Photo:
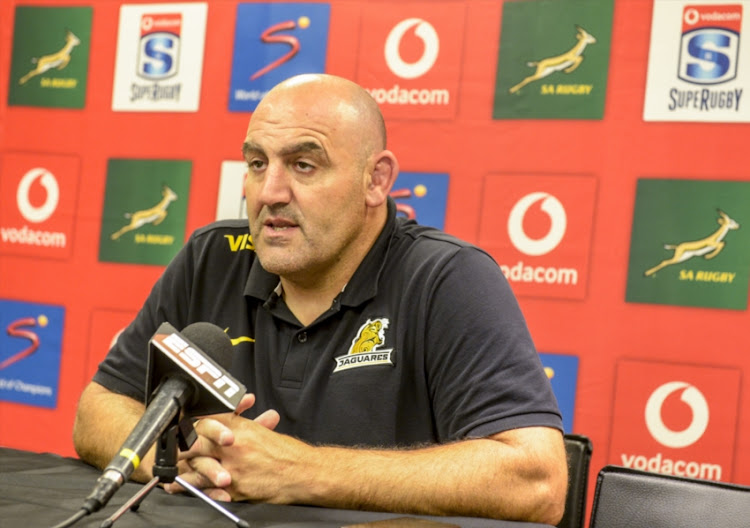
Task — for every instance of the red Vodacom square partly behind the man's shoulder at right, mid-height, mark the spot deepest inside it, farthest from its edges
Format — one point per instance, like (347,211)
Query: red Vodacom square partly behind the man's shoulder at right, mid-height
(538,228)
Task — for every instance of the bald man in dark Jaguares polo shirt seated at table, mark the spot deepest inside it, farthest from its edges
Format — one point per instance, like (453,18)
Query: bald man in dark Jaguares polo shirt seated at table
(388,364)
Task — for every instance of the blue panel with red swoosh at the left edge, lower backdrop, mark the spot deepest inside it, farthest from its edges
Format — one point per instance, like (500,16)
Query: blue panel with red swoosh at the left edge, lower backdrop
(30,350)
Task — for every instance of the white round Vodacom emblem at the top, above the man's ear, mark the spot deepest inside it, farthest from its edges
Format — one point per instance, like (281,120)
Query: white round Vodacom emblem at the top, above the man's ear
(424,31)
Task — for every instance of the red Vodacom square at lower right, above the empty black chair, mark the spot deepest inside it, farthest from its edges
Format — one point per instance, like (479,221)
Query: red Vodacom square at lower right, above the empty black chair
(675,419)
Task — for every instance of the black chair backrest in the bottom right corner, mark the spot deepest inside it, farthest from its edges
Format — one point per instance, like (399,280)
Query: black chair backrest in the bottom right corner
(640,499)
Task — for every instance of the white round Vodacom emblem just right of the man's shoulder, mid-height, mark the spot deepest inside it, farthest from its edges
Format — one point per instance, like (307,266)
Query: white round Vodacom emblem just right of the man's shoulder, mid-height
(548,242)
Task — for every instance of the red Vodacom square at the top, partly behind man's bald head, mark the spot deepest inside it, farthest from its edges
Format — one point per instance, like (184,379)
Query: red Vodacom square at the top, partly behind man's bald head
(410,58)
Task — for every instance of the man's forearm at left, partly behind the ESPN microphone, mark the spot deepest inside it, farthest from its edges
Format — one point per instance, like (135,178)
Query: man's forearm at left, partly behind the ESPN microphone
(103,421)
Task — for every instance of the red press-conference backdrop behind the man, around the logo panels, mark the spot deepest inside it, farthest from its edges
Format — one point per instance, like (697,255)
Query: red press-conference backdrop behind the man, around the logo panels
(610,337)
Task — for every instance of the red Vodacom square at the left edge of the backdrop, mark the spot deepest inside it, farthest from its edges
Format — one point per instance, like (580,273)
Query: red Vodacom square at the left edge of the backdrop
(37,204)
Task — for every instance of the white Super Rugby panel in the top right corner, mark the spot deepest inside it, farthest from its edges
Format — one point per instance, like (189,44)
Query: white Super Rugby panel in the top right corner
(697,67)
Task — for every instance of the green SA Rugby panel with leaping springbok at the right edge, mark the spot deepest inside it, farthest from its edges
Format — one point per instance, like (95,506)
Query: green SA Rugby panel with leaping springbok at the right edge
(690,243)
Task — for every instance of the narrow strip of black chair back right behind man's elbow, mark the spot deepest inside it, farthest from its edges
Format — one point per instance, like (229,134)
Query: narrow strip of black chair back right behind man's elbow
(578,449)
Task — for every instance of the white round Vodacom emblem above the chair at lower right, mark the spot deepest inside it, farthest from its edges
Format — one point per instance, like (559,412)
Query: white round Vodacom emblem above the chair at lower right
(691,396)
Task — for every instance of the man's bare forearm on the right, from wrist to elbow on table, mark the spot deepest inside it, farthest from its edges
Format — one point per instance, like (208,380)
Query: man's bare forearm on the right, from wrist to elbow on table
(482,477)
